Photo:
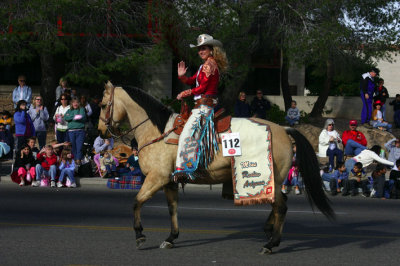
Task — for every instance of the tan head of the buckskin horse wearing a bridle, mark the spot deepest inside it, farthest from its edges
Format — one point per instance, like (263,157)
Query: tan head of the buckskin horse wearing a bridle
(112,111)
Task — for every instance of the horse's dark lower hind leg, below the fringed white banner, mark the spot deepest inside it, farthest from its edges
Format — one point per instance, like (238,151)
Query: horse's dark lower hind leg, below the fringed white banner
(274,224)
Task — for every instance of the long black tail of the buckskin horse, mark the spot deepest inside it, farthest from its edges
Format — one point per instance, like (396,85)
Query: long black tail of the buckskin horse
(309,169)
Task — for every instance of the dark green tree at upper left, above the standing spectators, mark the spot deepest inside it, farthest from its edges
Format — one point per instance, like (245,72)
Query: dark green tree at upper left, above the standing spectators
(97,38)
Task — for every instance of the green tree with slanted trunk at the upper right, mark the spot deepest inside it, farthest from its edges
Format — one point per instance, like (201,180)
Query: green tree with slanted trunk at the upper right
(332,35)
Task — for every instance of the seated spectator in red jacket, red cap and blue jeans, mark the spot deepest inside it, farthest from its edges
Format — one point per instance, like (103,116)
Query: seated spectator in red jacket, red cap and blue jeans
(354,141)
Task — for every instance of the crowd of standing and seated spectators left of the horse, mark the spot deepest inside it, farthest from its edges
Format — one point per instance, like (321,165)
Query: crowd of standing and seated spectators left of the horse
(56,164)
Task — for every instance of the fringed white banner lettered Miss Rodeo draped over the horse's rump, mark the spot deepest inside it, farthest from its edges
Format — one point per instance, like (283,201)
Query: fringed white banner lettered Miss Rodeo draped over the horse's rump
(253,172)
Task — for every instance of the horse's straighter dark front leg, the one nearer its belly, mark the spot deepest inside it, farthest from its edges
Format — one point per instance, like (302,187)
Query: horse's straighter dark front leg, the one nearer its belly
(171,192)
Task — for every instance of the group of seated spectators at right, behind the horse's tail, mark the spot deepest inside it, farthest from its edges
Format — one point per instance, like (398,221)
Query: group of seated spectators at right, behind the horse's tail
(350,175)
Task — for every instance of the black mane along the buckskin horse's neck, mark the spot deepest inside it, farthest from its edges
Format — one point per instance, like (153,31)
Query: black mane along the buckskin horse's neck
(158,113)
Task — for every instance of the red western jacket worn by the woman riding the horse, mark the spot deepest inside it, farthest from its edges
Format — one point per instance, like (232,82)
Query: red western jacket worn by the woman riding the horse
(207,78)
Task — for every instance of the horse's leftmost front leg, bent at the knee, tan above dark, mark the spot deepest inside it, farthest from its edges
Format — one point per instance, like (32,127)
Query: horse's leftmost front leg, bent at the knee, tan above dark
(150,186)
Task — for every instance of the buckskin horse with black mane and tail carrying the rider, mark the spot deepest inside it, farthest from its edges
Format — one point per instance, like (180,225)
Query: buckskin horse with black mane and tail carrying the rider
(148,117)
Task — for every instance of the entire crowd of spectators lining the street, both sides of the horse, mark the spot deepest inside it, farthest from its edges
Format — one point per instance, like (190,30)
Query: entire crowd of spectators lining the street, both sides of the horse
(75,118)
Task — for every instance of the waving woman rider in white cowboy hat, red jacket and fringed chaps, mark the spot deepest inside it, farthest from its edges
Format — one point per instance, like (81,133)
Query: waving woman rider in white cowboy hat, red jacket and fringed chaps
(198,142)
